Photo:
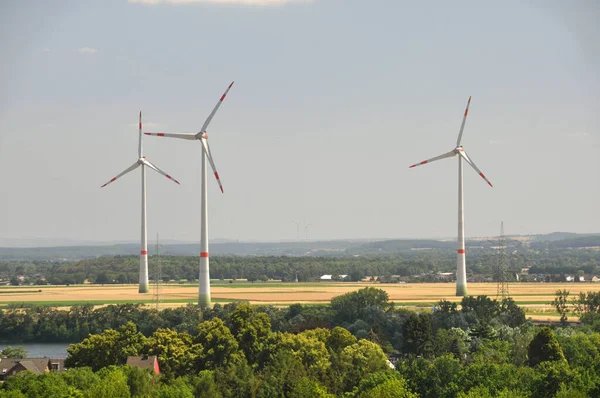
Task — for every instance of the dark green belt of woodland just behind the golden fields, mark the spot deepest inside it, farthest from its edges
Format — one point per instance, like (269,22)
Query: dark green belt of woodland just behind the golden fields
(424,264)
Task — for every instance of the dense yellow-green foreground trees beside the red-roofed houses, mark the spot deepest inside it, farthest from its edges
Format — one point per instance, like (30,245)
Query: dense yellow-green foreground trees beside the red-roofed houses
(485,349)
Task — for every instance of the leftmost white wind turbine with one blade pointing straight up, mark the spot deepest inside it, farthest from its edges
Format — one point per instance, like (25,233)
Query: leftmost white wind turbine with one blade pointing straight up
(143,162)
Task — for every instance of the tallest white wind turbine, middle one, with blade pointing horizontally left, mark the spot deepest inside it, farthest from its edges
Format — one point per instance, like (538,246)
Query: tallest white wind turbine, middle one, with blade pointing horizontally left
(204,279)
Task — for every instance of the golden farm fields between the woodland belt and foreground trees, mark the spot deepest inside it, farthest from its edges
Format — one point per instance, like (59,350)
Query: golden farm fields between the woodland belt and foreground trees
(534,297)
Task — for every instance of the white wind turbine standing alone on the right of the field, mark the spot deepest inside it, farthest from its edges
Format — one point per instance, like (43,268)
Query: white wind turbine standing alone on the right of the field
(461,271)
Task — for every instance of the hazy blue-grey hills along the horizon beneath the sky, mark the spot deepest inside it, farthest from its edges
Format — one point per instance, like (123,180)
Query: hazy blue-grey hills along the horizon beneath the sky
(332,248)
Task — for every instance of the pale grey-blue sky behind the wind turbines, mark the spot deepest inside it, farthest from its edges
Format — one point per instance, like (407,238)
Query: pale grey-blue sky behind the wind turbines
(333,101)
